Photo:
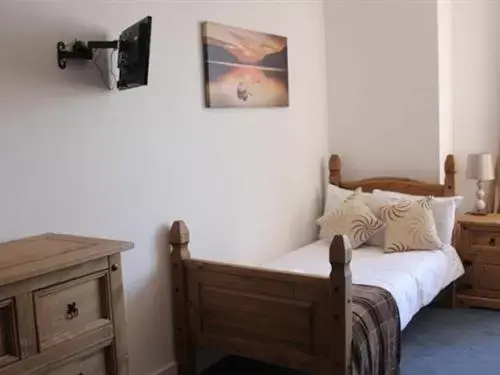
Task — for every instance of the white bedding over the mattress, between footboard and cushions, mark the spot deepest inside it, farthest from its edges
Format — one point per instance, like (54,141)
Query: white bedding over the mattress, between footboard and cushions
(413,278)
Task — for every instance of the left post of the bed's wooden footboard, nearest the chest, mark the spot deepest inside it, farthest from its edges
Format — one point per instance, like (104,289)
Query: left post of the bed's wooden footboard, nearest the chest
(184,347)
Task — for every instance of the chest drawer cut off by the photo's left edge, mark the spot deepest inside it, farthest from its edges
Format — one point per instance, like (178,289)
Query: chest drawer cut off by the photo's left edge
(8,333)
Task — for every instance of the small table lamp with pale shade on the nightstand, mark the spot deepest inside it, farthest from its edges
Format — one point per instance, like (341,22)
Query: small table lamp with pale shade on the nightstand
(480,168)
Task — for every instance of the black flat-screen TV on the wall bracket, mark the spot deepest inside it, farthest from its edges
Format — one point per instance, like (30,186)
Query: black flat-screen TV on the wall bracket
(133,55)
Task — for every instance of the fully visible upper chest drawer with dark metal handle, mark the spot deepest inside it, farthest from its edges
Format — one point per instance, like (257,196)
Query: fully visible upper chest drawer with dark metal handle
(67,310)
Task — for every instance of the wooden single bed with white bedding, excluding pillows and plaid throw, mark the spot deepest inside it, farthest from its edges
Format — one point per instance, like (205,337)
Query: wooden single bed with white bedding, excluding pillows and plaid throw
(298,313)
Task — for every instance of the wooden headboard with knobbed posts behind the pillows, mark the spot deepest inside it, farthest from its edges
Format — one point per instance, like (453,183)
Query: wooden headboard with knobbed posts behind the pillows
(401,185)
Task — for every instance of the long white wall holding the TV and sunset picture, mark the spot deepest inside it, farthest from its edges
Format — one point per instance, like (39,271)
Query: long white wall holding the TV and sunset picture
(76,158)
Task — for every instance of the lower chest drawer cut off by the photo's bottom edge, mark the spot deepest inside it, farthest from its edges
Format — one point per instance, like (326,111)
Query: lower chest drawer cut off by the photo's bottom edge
(90,364)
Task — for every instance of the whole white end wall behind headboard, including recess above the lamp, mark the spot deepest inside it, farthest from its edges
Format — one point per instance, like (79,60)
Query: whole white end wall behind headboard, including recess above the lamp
(412,81)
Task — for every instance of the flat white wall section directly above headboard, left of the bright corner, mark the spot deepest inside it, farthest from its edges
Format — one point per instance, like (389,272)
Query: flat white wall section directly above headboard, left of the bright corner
(383,87)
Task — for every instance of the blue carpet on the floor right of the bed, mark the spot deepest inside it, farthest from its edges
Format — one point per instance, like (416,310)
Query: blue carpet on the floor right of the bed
(458,342)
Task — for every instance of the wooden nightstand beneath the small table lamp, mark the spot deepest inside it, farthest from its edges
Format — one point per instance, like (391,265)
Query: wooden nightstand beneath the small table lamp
(478,244)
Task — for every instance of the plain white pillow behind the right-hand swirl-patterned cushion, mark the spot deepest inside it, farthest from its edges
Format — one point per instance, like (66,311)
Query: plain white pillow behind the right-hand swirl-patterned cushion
(443,209)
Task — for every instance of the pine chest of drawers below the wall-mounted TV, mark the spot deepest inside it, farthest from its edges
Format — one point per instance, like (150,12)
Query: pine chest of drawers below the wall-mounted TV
(61,306)
